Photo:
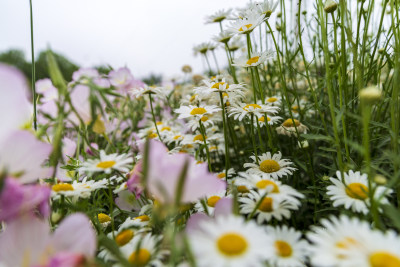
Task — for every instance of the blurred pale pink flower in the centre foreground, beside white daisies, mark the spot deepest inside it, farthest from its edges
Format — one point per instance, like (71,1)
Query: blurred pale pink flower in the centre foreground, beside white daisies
(164,172)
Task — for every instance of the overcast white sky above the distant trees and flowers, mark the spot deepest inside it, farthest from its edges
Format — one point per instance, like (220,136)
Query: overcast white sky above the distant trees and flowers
(146,35)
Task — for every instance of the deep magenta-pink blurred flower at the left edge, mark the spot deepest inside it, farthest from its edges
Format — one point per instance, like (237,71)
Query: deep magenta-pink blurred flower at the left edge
(17,200)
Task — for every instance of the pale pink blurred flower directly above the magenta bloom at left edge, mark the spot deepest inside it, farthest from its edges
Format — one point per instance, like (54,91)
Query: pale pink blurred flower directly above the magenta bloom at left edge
(22,156)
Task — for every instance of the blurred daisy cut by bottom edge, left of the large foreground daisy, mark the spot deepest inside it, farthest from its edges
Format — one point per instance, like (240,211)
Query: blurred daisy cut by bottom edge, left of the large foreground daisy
(143,250)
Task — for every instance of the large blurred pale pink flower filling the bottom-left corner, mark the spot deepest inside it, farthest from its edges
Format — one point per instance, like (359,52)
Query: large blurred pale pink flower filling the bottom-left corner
(28,241)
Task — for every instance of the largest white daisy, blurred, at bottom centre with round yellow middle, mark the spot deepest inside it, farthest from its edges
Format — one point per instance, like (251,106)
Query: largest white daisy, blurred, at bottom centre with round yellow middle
(229,241)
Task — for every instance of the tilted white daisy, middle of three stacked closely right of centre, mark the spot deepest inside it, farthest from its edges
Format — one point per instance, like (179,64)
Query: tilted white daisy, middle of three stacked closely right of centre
(270,186)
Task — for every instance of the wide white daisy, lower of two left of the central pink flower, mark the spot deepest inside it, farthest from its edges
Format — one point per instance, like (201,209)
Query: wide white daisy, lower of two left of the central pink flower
(77,189)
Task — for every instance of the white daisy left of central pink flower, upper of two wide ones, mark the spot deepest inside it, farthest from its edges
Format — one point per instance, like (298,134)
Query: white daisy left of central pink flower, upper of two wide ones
(107,163)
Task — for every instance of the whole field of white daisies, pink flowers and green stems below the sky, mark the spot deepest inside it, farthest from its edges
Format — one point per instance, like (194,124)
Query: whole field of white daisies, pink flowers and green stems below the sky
(285,154)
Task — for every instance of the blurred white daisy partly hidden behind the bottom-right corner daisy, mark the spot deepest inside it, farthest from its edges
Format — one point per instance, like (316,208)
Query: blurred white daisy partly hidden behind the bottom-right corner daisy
(332,240)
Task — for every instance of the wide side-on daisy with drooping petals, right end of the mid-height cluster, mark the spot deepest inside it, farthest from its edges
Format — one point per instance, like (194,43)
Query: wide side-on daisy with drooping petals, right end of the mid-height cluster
(246,110)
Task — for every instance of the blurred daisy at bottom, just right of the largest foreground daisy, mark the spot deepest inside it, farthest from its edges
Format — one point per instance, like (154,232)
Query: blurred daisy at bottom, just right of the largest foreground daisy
(289,248)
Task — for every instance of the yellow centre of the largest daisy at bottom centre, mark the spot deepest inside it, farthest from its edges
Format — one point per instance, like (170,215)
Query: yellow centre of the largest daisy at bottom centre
(232,244)
